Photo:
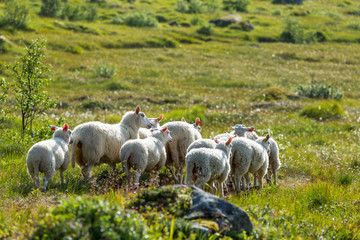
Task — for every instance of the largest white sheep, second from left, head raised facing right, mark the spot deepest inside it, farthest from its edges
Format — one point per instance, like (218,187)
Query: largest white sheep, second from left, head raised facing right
(95,143)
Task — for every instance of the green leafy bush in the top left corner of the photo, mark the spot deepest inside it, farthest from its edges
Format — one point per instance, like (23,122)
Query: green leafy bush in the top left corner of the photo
(15,15)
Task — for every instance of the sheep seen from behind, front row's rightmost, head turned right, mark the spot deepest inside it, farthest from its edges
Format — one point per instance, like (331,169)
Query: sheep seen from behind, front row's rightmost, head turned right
(248,156)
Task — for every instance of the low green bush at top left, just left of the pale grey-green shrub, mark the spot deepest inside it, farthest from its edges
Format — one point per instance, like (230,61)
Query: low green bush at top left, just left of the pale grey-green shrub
(74,12)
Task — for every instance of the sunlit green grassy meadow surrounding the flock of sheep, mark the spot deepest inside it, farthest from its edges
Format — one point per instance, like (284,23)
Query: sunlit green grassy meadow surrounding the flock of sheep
(103,66)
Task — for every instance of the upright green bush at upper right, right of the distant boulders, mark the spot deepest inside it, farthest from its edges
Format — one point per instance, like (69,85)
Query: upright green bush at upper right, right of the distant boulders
(293,32)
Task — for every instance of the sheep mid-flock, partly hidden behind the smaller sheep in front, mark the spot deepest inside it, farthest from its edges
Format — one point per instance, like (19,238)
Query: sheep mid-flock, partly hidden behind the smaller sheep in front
(183,135)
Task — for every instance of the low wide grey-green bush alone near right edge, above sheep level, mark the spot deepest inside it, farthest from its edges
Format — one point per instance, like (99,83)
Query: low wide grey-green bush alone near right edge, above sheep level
(322,91)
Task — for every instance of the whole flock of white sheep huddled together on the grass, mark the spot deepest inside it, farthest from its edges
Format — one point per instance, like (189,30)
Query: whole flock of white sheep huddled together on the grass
(140,143)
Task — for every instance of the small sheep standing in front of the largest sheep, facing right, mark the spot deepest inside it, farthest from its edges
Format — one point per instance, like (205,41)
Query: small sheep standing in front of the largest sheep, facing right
(145,154)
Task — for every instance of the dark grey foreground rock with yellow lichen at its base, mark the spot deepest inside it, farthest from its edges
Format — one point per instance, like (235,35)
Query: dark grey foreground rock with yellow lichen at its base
(225,216)
